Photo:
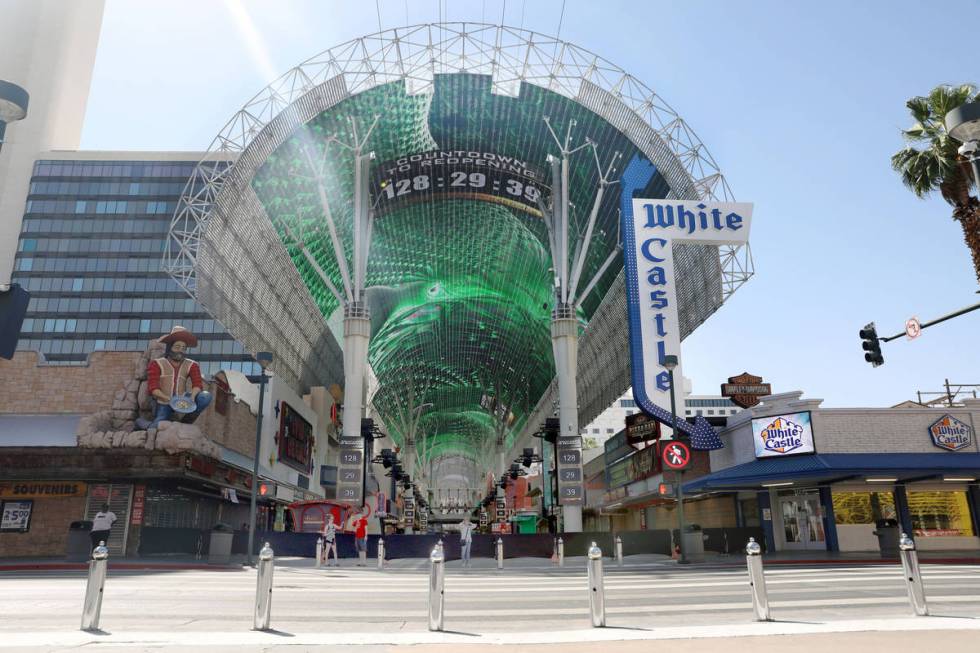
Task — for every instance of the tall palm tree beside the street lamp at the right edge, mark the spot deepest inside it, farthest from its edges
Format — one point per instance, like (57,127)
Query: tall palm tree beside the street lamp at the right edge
(937,165)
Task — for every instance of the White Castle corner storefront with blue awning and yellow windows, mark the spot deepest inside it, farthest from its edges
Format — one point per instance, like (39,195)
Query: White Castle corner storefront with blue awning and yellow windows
(848,479)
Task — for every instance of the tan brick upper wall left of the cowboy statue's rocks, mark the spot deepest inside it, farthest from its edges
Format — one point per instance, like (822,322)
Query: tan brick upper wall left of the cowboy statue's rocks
(27,387)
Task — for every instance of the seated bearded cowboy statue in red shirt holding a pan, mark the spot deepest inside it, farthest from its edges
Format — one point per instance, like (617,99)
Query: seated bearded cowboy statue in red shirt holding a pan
(174,381)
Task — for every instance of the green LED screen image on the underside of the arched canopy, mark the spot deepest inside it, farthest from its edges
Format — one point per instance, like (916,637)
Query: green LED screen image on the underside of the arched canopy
(460,280)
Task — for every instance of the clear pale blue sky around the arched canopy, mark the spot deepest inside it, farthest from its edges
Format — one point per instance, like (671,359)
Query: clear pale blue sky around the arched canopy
(800,104)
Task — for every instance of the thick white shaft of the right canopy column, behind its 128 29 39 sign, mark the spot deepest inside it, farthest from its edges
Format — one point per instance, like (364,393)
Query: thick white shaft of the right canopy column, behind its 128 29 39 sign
(564,340)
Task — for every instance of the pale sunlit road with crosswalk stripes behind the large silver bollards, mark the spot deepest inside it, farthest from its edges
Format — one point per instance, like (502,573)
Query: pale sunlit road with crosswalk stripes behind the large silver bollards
(367,607)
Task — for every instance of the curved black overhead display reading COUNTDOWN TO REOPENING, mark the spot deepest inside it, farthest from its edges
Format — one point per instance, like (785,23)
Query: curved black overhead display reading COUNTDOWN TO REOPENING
(463,174)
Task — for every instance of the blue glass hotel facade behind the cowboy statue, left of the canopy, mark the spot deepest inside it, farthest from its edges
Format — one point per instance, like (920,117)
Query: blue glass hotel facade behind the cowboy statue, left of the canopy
(90,253)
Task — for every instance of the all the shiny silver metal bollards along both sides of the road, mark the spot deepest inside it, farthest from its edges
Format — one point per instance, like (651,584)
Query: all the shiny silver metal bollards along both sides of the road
(92,607)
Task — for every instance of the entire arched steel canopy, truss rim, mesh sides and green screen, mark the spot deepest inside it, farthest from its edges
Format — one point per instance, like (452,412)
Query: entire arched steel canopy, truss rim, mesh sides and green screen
(459,287)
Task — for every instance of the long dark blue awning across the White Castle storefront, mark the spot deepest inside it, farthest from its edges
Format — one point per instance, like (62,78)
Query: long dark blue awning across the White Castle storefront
(835,467)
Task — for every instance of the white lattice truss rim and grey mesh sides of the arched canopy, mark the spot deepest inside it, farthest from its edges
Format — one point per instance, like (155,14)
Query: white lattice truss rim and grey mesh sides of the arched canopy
(224,252)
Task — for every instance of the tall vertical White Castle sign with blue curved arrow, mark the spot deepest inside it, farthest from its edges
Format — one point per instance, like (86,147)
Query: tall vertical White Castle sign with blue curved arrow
(650,229)
